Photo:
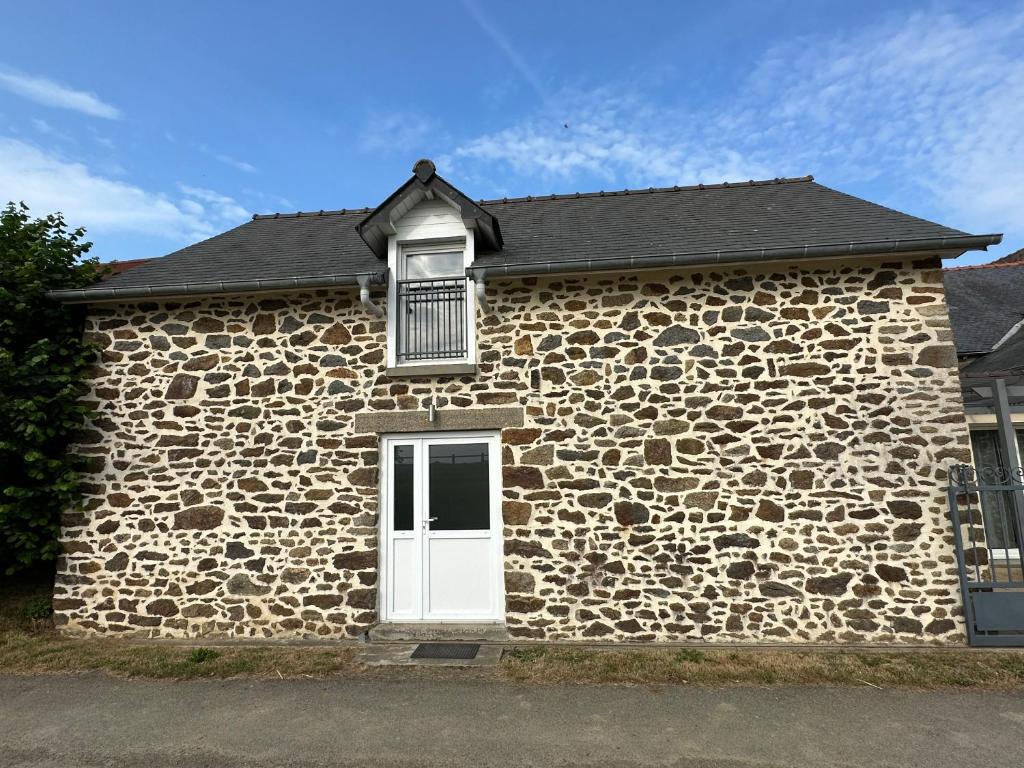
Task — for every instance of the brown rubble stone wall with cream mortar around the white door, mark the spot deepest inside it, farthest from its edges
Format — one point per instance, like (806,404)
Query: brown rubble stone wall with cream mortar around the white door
(728,456)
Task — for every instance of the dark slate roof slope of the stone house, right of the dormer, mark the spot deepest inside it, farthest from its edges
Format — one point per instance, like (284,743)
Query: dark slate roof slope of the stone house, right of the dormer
(778,214)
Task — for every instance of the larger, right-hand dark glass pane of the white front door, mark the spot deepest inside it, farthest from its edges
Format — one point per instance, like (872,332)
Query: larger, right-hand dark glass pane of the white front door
(460,498)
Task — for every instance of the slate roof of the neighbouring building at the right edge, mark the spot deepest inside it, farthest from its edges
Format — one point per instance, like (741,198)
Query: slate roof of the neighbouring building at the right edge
(986,303)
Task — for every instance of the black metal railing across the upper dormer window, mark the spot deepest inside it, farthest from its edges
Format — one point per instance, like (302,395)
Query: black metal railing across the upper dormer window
(432,320)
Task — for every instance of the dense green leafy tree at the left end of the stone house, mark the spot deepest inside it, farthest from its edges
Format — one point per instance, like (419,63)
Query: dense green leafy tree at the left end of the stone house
(44,360)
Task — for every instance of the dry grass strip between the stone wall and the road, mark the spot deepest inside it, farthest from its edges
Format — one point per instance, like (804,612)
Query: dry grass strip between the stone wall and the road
(30,646)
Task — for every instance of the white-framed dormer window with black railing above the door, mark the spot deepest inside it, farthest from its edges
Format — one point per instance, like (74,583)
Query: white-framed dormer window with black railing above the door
(432,316)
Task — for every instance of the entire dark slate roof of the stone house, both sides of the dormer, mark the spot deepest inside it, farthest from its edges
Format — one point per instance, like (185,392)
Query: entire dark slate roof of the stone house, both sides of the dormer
(794,214)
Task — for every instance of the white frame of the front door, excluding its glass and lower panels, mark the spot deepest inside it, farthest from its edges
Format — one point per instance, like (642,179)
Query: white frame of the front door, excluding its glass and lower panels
(420,536)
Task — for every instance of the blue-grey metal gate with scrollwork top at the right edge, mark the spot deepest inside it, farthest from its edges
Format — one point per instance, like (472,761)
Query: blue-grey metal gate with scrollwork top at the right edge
(987,506)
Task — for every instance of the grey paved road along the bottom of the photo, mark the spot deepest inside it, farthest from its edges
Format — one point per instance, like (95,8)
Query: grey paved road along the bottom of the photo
(99,721)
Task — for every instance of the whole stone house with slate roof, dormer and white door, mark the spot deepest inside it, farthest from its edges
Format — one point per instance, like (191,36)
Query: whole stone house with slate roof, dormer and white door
(717,413)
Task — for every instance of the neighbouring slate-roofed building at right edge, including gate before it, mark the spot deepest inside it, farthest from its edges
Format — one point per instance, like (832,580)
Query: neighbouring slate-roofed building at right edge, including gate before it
(987,308)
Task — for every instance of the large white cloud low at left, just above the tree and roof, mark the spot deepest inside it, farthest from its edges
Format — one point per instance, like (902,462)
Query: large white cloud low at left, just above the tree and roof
(49,184)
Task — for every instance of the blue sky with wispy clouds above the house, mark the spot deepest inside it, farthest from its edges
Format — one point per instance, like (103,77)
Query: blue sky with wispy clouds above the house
(156,125)
